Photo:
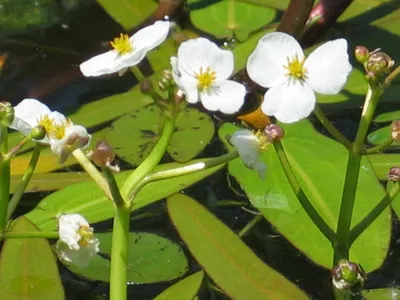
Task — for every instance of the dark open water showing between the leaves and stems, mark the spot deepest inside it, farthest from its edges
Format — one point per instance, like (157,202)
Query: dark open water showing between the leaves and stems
(43,64)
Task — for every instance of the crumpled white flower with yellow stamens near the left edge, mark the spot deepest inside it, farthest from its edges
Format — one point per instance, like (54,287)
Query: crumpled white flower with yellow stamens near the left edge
(62,135)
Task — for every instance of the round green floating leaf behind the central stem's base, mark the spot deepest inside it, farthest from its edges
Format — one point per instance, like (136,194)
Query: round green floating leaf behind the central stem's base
(152,258)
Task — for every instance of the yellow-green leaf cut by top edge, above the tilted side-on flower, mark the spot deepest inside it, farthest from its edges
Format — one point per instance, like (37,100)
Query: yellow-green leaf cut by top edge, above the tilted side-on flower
(129,13)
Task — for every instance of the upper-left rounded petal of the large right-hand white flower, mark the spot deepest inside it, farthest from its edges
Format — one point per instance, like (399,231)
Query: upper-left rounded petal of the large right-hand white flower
(265,65)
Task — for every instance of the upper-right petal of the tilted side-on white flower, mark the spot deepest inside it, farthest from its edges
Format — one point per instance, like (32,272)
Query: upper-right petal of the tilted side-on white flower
(150,36)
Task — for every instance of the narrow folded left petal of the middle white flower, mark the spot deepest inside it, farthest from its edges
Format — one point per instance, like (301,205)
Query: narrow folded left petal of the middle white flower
(186,83)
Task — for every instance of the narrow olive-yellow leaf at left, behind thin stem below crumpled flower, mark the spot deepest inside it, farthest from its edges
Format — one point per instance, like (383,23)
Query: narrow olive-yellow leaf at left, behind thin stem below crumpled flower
(50,181)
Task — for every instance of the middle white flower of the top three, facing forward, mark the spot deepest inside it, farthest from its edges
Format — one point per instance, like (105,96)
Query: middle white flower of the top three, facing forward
(201,71)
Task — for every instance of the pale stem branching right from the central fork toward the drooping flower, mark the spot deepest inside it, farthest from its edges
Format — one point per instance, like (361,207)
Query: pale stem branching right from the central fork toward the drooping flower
(185,169)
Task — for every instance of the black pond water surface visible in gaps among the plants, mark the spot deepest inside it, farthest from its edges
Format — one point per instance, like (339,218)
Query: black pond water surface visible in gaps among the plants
(41,61)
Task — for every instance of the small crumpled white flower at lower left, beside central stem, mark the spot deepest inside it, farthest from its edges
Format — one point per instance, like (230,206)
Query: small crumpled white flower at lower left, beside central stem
(76,243)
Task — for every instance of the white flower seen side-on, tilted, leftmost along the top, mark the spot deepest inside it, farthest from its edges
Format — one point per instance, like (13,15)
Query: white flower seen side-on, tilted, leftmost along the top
(128,51)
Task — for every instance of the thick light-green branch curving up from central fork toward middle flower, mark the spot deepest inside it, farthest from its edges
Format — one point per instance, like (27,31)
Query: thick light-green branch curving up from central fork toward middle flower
(152,160)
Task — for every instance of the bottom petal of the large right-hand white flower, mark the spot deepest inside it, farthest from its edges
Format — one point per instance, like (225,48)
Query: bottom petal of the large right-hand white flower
(290,102)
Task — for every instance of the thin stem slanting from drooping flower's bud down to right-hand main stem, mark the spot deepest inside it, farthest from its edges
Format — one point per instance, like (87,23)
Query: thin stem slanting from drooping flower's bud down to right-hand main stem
(305,202)
